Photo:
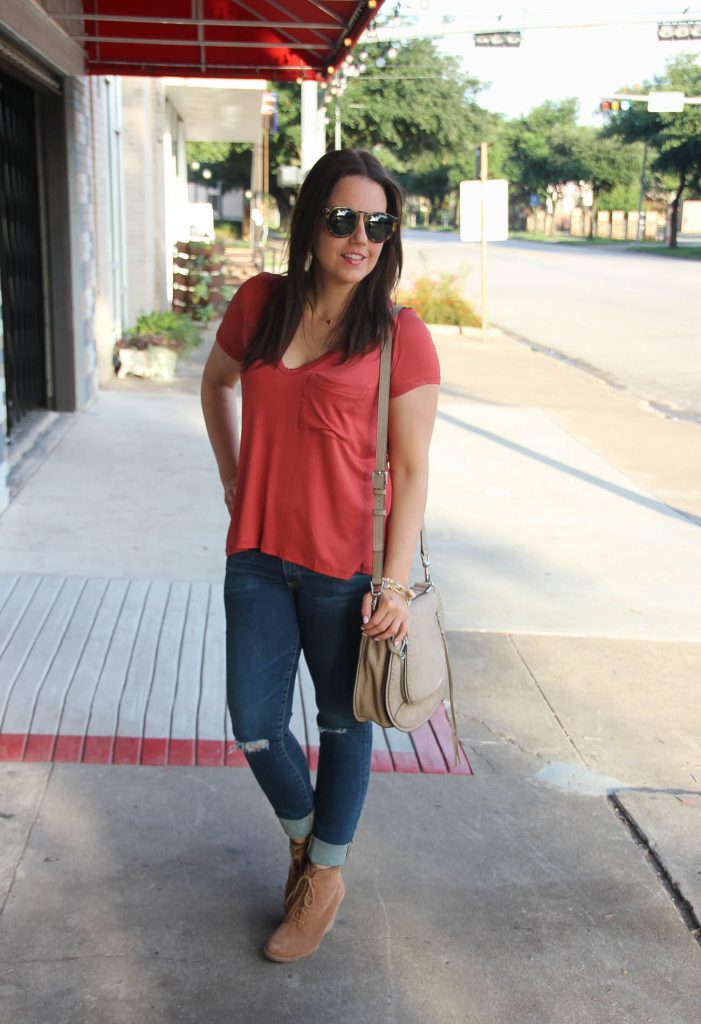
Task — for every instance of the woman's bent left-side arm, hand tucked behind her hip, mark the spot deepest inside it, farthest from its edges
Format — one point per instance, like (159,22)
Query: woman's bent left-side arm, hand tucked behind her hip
(220,406)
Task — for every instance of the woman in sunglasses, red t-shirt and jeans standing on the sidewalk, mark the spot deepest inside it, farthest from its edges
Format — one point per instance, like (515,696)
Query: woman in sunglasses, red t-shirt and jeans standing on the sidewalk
(306,349)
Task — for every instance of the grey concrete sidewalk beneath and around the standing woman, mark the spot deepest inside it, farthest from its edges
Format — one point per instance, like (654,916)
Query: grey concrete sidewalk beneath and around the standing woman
(564,525)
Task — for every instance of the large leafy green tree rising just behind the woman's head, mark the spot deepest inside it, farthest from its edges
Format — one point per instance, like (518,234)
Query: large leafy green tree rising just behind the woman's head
(419,115)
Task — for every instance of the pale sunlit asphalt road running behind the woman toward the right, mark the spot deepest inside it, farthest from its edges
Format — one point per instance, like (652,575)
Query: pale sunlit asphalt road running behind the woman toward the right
(632,319)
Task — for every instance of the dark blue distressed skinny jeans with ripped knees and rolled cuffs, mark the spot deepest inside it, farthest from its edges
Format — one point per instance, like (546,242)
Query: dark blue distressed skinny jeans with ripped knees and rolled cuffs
(276,610)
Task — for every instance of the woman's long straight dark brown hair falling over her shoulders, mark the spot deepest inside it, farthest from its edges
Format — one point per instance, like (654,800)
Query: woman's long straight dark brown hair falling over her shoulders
(367,318)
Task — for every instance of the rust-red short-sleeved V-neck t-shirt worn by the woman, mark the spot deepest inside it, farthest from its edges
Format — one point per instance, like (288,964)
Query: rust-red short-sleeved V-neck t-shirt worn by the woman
(304,490)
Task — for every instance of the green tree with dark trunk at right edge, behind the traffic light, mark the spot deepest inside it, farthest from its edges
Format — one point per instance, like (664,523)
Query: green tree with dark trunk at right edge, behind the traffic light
(675,140)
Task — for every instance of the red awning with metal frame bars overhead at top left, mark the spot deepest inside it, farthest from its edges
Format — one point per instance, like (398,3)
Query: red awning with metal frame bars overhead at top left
(282,40)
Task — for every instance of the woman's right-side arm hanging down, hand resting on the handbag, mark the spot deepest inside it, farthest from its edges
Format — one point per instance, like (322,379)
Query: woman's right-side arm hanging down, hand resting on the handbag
(411,425)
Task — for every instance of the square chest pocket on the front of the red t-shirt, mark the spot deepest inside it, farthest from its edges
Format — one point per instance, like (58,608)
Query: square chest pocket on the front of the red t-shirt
(340,410)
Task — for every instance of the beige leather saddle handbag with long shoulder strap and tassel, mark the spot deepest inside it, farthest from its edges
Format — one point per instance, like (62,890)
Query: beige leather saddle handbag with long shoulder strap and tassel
(402,687)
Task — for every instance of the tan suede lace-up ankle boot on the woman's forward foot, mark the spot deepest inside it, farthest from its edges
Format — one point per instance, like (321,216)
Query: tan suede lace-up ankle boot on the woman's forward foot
(314,907)
